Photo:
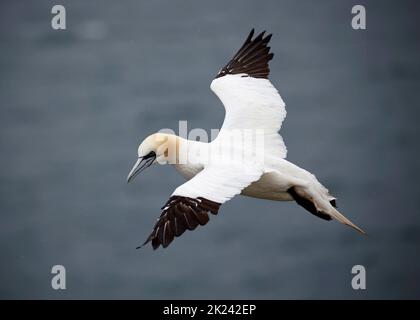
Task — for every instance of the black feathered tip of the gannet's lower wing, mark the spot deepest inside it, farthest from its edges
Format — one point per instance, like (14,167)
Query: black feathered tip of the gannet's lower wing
(180,214)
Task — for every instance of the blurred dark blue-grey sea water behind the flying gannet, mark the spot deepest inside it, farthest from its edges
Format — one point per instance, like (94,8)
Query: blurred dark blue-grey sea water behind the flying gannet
(75,104)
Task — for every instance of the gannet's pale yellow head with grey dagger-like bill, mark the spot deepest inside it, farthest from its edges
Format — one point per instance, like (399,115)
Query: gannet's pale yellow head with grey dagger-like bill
(156,148)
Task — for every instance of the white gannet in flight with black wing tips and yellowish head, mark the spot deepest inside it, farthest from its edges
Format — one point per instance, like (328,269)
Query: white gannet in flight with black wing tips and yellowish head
(252,104)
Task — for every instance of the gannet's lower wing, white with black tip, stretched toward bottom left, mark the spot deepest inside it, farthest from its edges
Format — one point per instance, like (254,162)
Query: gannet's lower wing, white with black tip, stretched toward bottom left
(191,202)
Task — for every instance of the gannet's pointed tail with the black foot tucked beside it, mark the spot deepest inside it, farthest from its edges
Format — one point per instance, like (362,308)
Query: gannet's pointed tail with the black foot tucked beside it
(320,203)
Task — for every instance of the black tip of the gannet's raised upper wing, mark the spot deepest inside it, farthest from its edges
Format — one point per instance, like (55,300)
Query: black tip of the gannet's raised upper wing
(252,58)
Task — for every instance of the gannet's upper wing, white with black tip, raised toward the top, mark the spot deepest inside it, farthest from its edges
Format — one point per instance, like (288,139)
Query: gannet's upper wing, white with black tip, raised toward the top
(249,98)
